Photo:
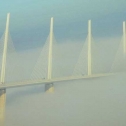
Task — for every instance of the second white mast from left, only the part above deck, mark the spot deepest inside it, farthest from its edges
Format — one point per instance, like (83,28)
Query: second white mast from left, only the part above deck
(50,50)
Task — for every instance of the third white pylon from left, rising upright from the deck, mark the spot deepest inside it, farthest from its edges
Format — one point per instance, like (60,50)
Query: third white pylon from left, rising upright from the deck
(89,48)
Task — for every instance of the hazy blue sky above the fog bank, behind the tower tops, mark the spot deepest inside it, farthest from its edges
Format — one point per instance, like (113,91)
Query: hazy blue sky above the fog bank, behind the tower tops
(30,19)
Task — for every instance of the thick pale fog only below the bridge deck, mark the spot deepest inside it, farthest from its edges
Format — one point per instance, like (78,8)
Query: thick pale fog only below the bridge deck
(91,102)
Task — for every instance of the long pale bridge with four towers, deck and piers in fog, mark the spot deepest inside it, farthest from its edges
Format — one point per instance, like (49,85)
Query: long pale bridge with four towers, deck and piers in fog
(42,72)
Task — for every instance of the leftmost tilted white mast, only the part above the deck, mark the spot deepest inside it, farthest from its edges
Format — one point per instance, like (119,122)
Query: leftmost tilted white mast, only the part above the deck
(5,50)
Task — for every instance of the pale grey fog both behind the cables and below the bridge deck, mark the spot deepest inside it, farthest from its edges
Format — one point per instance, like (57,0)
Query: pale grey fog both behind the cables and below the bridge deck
(88,102)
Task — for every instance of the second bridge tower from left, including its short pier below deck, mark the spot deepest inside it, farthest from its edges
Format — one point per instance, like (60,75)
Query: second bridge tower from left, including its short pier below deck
(50,87)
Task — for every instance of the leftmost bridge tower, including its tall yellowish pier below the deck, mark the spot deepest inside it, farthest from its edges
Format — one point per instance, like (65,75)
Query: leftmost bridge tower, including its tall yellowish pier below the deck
(3,92)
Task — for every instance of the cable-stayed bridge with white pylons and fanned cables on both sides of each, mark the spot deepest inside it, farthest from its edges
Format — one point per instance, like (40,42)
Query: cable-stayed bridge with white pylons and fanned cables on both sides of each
(46,70)
